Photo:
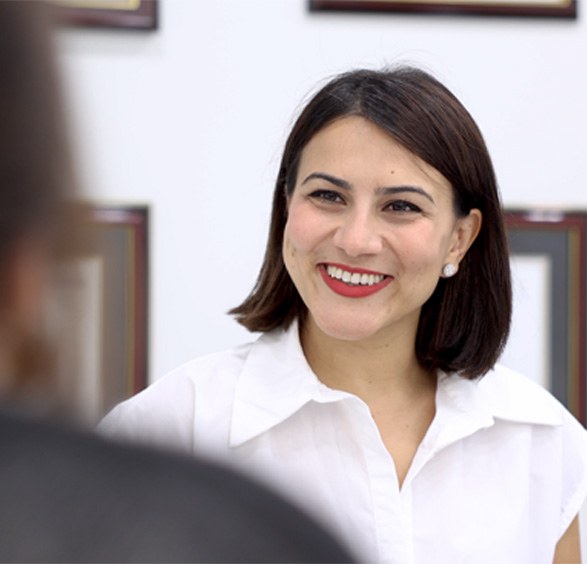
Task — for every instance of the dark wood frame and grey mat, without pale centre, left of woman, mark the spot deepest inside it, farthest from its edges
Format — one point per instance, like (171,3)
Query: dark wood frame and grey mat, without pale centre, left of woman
(119,236)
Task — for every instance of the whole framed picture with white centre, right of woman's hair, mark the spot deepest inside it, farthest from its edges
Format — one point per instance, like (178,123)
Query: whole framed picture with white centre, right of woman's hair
(549,263)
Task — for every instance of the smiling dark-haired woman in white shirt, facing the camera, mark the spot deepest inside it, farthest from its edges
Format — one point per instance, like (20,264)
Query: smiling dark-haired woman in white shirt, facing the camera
(373,395)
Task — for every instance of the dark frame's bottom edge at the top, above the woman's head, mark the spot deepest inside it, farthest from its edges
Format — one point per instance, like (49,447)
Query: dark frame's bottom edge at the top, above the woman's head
(535,8)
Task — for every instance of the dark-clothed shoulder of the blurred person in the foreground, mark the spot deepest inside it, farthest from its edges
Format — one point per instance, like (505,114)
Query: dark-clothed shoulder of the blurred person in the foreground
(205,513)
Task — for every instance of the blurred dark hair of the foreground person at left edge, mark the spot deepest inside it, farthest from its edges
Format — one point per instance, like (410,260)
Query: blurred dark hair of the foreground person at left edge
(35,174)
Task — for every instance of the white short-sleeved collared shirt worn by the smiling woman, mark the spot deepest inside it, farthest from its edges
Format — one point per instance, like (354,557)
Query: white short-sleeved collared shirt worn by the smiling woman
(498,478)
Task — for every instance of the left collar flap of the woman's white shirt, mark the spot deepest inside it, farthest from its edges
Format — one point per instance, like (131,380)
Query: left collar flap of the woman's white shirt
(276,381)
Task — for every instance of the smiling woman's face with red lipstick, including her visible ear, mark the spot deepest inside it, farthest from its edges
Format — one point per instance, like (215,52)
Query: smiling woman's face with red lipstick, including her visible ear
(370,226)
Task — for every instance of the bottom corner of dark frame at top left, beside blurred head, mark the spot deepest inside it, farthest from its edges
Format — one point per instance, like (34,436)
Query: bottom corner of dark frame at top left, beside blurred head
(126,14)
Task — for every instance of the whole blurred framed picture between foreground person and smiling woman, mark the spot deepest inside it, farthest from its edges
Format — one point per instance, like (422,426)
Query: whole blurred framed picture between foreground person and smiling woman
(103,288)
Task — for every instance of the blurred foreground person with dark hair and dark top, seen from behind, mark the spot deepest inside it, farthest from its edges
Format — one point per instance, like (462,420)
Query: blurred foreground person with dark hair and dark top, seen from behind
(64,495)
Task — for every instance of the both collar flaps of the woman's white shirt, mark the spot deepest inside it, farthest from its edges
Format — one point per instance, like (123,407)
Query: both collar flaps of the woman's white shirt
(276,382)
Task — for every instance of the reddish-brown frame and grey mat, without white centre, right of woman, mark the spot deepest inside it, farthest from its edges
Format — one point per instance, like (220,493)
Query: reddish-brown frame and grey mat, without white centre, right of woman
(562,237)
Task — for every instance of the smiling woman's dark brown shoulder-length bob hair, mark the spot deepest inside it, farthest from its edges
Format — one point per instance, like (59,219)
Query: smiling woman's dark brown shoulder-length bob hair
(465,323)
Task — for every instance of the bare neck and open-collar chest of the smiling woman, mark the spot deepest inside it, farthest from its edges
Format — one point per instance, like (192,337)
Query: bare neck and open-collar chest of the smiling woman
(386,375)
